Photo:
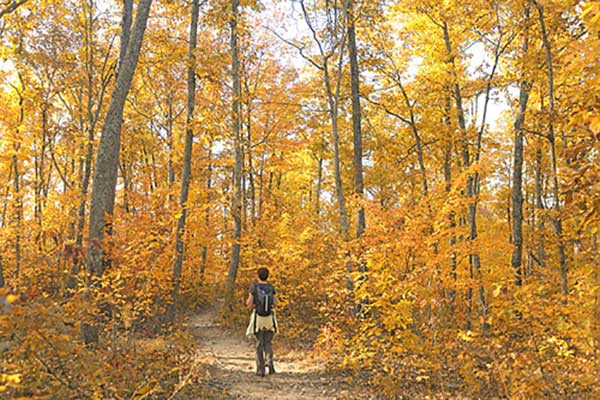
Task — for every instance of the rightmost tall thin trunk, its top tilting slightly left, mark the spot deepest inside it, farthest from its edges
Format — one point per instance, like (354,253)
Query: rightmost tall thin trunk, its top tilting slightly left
(556,219)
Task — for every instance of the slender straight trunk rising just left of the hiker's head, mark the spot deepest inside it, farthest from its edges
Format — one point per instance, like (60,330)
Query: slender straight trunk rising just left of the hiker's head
(238,167)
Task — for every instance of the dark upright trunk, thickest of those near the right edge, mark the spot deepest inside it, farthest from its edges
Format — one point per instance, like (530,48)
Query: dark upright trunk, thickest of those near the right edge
(517,191)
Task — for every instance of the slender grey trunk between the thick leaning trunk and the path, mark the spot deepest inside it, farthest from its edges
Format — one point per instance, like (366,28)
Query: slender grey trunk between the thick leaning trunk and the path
(187,161)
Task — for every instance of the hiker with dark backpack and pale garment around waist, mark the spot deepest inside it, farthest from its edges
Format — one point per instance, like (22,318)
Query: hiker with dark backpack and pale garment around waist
(263,324)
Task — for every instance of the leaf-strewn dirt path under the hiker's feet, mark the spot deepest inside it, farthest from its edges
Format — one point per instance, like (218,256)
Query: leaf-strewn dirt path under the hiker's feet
(232,360)
